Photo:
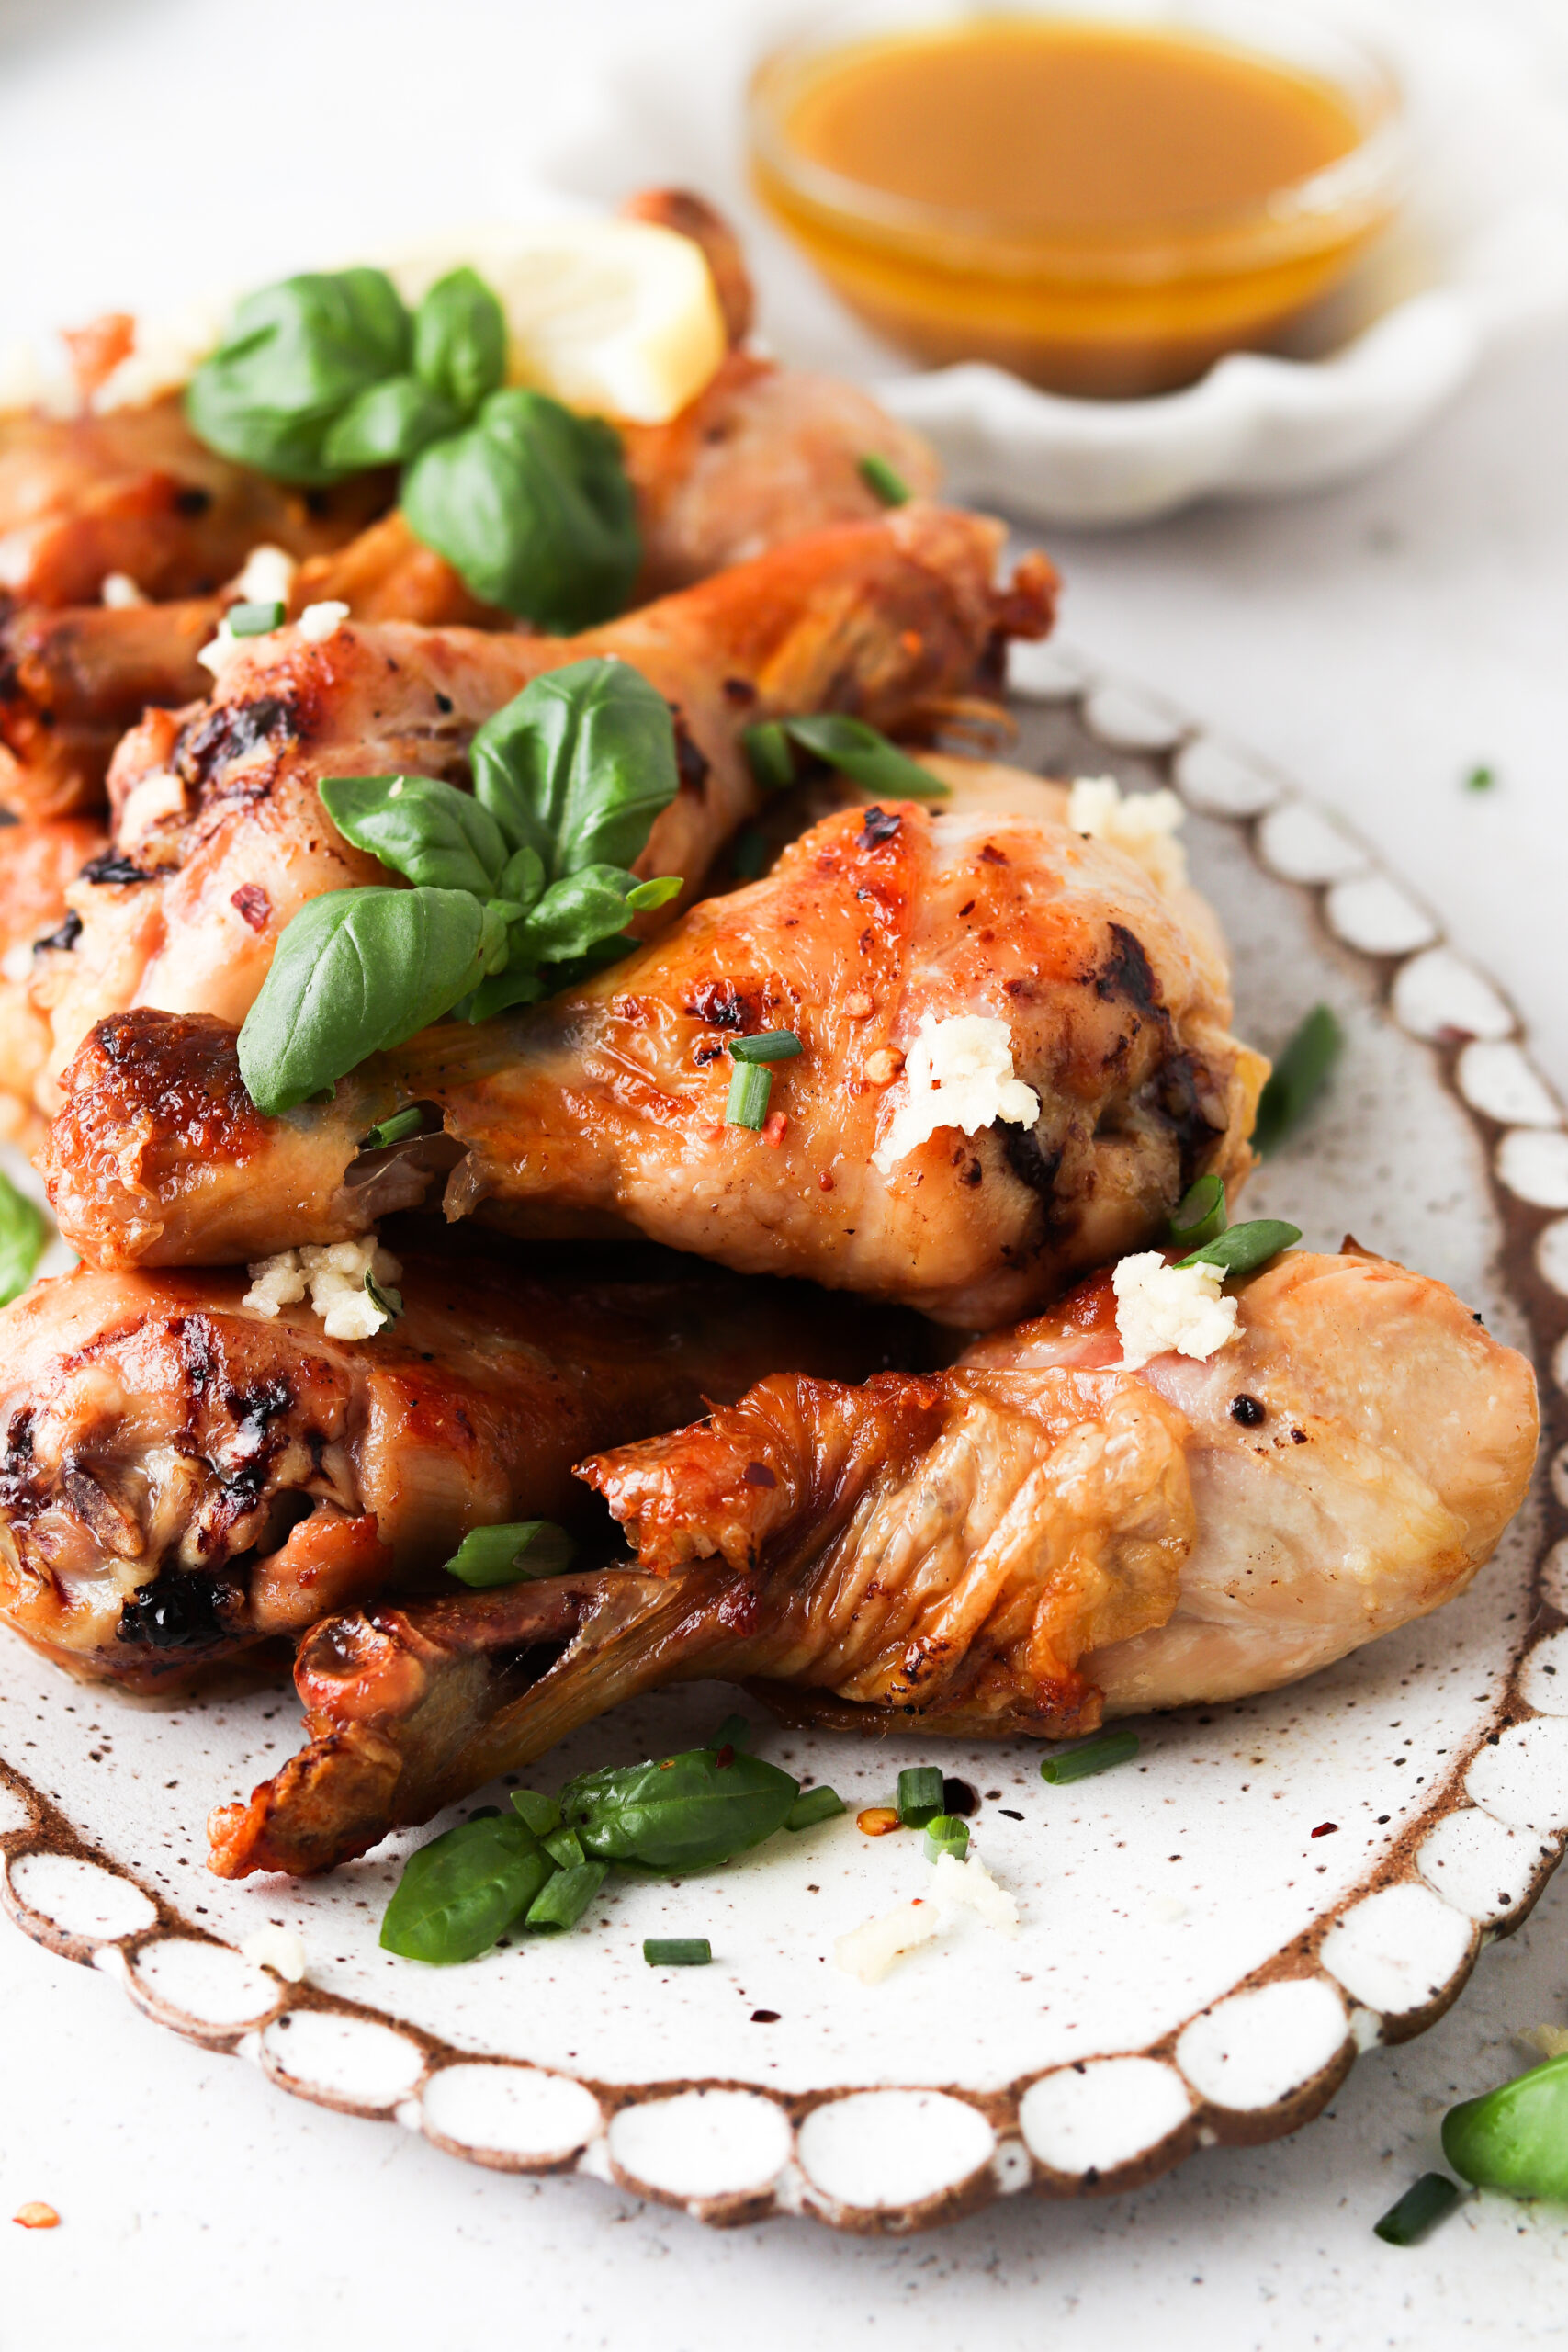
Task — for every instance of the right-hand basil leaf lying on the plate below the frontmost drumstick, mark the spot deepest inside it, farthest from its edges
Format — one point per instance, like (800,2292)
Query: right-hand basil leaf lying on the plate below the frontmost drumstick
(690,1812)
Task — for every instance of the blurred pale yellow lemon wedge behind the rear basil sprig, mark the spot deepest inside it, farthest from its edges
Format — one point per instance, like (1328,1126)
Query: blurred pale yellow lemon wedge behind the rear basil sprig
(610,316)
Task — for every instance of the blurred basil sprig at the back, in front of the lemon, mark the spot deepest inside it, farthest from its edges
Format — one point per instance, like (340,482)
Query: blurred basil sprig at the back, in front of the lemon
(328,375)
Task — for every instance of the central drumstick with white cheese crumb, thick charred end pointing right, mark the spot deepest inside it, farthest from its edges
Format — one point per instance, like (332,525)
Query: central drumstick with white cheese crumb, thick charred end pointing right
(605,1109)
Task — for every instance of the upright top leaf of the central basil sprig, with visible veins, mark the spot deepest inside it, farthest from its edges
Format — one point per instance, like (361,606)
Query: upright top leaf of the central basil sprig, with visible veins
(579,766)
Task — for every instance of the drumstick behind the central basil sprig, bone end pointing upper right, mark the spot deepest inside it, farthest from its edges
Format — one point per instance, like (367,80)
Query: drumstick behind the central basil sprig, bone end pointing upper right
(217,808)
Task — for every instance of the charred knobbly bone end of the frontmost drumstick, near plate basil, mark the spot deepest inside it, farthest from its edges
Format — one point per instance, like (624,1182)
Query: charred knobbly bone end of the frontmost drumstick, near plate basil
(328,1805)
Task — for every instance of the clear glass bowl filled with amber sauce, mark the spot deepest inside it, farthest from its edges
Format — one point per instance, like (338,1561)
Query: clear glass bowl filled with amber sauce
(1104,206)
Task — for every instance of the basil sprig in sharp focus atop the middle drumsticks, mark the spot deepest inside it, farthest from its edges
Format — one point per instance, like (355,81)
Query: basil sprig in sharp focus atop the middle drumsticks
(516,890)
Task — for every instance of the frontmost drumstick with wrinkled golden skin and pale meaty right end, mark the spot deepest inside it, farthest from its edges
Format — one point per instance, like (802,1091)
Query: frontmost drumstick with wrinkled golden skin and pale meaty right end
(1024,1544)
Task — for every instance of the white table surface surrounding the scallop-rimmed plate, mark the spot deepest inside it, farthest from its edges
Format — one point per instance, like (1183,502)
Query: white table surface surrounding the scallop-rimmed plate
(1376,643)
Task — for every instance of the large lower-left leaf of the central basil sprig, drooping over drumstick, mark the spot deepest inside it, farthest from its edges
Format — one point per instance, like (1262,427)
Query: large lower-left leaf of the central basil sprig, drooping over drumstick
(356,973)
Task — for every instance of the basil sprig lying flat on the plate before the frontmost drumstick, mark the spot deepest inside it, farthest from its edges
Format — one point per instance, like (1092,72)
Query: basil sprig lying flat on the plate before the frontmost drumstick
(542,1869)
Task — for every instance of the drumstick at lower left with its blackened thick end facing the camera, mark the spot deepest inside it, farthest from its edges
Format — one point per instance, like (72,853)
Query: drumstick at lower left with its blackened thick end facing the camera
(182,1478)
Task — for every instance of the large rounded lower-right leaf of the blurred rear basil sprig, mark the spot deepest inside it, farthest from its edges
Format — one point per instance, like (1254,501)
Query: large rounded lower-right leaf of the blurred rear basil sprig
(535,509)
